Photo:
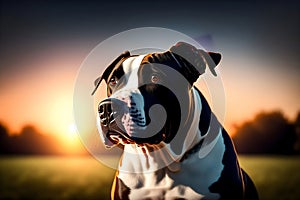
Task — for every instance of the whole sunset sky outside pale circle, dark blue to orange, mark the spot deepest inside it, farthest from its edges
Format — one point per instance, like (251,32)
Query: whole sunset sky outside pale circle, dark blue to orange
(43,44)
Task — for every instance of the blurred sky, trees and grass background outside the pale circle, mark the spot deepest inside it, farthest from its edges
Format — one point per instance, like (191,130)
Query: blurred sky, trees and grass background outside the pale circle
(43,43)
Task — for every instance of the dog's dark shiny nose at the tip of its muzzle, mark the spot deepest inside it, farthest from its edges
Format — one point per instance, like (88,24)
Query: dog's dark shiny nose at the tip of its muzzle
(108,111)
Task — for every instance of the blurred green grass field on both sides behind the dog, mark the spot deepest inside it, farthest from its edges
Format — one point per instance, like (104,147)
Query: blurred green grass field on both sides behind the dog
(86,178)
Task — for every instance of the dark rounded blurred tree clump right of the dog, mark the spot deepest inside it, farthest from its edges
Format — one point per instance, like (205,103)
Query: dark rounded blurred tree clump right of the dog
(268,133)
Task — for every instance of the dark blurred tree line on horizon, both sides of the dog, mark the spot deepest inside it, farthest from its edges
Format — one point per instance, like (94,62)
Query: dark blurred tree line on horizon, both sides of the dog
(267,133)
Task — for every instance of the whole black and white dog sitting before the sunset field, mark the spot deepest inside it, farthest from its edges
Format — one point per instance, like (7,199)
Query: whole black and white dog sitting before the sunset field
(173,145)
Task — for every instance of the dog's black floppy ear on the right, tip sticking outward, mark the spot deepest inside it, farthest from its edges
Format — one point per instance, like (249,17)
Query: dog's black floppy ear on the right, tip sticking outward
(190,56)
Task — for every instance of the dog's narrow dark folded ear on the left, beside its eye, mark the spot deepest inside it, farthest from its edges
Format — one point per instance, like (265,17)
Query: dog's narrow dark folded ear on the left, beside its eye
(118,61)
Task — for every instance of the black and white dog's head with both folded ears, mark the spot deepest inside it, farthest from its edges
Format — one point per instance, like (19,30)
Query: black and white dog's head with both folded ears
(149,95)
